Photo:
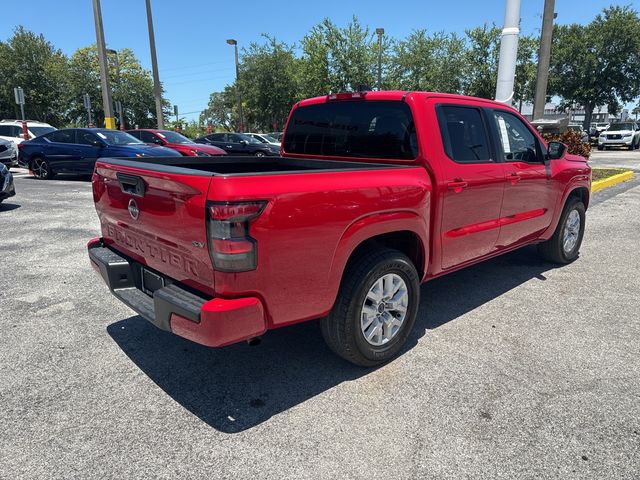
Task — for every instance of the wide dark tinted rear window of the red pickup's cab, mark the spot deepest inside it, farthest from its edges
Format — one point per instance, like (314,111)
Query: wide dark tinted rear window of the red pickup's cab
(359,129)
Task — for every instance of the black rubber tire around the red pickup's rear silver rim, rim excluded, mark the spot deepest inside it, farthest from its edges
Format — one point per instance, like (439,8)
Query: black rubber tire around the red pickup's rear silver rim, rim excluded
(341,329)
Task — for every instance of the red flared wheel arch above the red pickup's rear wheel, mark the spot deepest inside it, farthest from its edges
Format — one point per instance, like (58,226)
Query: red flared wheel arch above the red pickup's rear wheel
(371,226)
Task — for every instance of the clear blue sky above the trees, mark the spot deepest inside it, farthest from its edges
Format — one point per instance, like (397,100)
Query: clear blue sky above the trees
(194,58)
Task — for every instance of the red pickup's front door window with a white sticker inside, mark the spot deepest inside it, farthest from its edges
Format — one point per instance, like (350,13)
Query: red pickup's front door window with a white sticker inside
(518,143)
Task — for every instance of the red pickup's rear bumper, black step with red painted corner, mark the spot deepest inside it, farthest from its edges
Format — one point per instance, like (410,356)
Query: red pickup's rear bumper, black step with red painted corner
(212,322)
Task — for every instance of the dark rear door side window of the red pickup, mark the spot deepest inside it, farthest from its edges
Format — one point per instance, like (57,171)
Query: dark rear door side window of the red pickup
(464,134)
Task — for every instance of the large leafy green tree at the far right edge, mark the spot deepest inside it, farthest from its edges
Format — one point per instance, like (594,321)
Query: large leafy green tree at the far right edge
(597,64)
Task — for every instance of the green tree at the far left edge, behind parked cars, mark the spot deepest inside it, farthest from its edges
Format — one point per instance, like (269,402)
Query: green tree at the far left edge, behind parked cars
(29,61)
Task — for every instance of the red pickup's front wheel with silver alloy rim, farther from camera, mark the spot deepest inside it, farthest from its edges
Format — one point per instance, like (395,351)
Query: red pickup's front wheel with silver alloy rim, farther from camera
(564,246)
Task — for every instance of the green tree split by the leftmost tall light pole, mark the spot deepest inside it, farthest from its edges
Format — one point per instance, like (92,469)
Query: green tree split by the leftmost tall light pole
(130,84)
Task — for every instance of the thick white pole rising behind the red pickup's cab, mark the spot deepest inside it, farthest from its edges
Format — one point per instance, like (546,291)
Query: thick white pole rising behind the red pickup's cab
(508,52)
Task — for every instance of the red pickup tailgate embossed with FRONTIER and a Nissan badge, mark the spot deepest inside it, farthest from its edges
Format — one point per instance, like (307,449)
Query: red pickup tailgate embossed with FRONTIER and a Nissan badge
(156,219)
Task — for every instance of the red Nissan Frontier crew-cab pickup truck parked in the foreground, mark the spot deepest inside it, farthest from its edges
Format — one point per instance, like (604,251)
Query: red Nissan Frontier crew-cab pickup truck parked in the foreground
(375,192)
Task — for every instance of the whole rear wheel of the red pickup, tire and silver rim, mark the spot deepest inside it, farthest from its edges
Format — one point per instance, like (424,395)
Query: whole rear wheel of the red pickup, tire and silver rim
(376,308)
